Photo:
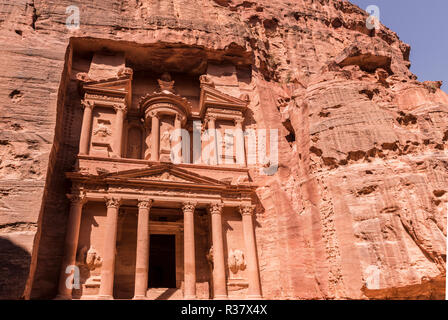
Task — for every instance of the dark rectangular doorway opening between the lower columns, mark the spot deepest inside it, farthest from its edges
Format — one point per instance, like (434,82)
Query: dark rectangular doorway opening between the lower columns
(162,261)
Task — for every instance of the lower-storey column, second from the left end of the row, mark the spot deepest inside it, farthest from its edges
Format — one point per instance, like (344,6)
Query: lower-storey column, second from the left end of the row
(110,241)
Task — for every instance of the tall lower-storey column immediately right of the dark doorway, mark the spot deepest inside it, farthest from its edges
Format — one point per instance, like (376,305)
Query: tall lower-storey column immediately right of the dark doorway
(189,251)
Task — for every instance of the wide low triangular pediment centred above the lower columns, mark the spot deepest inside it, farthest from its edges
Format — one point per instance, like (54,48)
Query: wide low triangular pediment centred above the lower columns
(166,173)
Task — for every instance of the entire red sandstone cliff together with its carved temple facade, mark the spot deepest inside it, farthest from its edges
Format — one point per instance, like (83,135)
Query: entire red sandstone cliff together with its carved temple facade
(356,209)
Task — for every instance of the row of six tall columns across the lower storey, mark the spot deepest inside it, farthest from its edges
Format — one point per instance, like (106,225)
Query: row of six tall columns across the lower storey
(143,248)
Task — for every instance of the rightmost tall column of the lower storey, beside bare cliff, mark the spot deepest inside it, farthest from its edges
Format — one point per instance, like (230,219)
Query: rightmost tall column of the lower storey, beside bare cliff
(253,272)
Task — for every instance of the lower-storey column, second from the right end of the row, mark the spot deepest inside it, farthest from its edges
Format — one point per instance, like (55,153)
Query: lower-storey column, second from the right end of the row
(219,271)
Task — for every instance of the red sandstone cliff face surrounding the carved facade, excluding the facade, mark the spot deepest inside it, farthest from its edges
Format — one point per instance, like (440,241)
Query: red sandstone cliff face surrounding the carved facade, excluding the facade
(362,183)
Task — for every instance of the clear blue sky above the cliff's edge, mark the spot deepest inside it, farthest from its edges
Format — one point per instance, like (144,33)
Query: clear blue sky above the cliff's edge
(424,25)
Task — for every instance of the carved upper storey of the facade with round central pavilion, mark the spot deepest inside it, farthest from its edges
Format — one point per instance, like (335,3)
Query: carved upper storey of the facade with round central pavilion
(173,118)
